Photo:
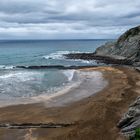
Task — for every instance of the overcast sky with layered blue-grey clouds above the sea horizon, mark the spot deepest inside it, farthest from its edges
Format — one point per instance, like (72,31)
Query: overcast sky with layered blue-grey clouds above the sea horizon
(67,19)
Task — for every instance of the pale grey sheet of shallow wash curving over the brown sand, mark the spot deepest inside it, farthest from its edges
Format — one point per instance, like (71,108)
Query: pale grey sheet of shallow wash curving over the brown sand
(88,83)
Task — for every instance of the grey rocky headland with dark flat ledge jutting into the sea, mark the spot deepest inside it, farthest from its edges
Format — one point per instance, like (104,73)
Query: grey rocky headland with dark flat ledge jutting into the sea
(124,51)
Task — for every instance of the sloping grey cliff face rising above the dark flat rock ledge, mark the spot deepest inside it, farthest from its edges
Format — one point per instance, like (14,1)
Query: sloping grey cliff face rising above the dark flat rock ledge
(128,46)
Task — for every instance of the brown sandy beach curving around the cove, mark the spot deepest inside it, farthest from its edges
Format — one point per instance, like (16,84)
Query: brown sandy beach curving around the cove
(93,118)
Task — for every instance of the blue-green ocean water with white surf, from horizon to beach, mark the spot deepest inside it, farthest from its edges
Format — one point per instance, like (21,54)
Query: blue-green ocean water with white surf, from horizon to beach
(23,84)
